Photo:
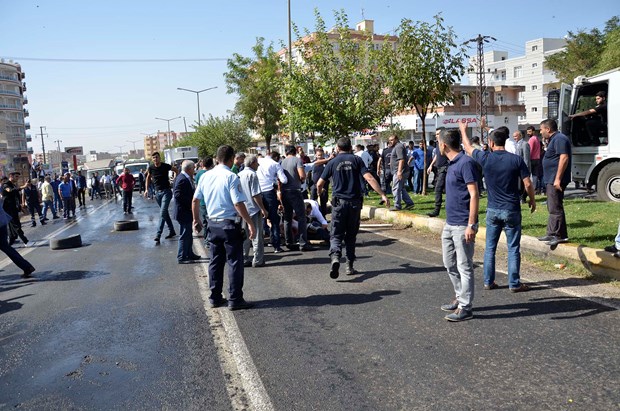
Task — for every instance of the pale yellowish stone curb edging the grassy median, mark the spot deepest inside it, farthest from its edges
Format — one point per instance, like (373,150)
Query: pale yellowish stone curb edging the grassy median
(594,260)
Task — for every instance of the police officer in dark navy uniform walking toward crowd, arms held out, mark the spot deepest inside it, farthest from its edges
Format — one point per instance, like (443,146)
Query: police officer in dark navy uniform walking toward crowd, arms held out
(346,172)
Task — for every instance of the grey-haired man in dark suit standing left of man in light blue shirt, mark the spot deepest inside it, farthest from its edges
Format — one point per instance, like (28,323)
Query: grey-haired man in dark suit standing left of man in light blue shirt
(183,193)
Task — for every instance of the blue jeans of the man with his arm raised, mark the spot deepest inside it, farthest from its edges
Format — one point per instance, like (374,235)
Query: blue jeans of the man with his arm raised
(510,222)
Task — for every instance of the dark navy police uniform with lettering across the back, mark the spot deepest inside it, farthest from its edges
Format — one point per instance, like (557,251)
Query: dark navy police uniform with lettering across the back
(346,171)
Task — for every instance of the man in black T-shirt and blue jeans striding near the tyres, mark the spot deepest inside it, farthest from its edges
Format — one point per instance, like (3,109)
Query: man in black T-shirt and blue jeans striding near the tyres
(157,175)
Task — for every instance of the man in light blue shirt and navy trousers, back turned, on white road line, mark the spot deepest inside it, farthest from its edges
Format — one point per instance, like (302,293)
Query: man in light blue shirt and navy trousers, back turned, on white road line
(221,191)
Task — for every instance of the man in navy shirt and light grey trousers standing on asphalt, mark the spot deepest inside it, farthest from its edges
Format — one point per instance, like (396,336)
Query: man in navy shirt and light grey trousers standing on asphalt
(459,232)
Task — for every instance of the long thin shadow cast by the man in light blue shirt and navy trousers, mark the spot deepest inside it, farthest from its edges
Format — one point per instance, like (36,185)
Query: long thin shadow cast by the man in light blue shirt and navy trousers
(326,299)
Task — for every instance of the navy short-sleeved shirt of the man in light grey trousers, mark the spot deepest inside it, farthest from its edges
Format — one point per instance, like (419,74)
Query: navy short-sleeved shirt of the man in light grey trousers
(462,171)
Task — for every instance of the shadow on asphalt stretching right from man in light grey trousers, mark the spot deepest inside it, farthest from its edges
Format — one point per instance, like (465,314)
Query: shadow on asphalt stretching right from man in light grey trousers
(545,306)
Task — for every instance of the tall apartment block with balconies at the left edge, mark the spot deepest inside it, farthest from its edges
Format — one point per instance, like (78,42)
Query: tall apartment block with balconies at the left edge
(12,116)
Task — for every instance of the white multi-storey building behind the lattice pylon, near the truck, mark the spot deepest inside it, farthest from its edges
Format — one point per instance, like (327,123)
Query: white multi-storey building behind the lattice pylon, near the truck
(527,71)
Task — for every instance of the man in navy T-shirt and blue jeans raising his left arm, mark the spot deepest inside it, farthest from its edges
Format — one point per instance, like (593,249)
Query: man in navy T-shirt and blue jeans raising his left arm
(503,170)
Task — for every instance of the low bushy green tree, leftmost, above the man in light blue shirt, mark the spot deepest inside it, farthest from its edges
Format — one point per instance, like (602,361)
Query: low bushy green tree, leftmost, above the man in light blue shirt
(217,131)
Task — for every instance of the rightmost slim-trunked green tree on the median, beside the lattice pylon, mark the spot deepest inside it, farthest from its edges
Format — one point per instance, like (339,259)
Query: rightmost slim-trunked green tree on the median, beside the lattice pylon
(422,68)
